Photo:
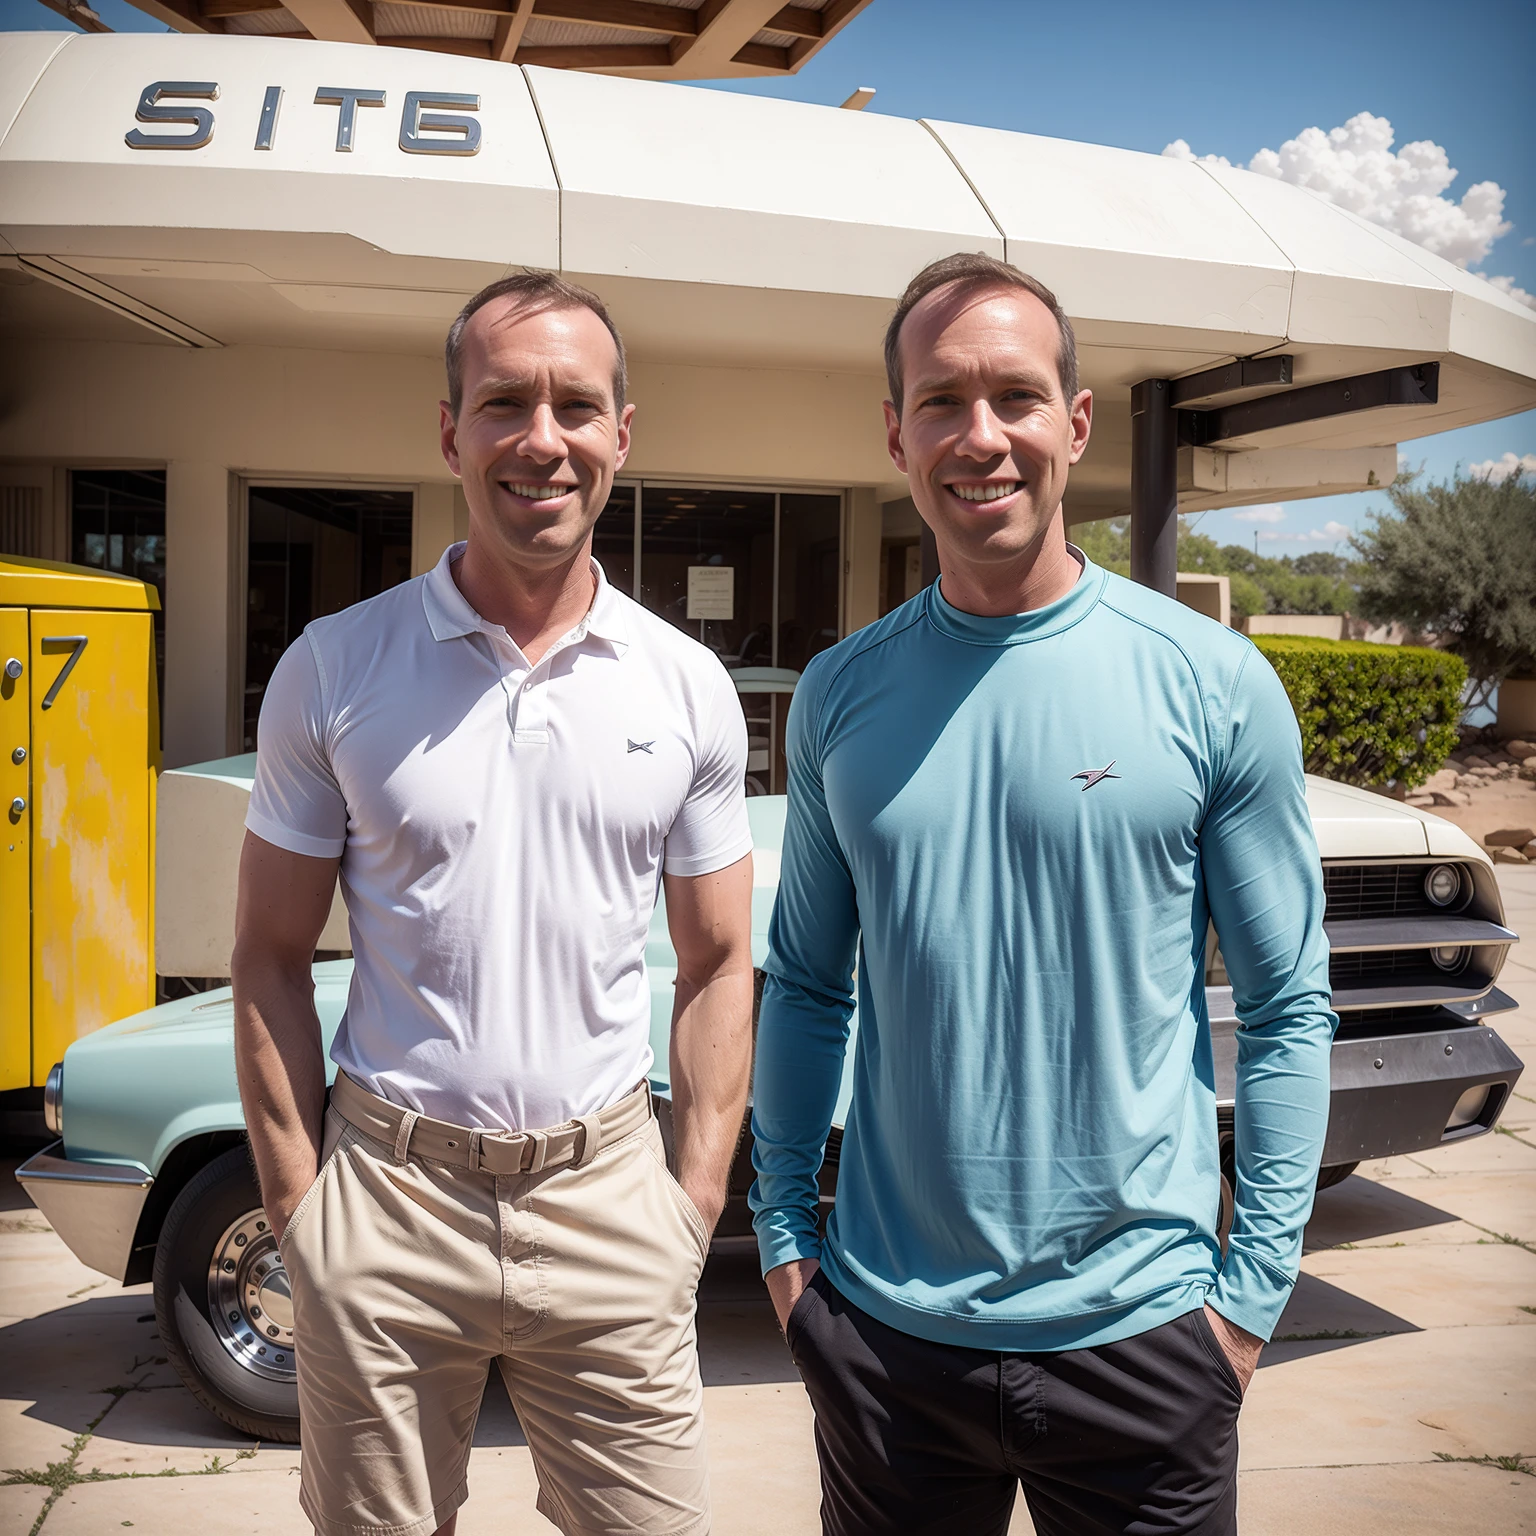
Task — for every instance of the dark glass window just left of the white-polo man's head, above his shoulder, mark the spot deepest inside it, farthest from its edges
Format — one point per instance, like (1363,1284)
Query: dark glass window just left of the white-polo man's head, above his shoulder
(314,551)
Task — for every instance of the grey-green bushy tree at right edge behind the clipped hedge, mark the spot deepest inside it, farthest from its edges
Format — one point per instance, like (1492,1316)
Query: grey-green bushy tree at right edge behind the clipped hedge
(1458,560)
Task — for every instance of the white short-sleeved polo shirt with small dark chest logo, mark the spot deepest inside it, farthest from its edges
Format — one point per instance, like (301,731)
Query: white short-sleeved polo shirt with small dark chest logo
(503,830)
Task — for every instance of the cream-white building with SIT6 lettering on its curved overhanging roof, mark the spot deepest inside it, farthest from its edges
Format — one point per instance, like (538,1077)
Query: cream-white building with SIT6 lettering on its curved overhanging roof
(228,265)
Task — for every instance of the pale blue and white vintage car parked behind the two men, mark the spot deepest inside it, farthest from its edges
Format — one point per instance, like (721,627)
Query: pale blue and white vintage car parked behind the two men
(151,1177)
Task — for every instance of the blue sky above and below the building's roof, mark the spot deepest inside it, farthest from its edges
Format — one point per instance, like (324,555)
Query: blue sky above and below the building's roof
(1230,81)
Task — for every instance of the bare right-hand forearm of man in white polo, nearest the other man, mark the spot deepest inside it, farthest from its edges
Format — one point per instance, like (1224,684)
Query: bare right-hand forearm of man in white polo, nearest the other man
(712,1042)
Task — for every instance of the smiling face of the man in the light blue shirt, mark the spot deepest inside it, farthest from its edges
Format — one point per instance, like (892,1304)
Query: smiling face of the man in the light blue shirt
(985,434)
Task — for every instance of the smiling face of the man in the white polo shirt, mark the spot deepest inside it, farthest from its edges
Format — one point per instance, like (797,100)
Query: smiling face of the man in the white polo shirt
(538,437)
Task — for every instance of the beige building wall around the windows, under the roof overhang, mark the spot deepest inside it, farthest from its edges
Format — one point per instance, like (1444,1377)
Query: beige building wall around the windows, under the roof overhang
(219,417)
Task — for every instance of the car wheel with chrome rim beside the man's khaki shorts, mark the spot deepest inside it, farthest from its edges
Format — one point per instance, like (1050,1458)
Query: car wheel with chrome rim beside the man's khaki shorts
(222,1302)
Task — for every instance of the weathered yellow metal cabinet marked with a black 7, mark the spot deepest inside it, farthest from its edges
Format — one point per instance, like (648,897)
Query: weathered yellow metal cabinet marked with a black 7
(79,755)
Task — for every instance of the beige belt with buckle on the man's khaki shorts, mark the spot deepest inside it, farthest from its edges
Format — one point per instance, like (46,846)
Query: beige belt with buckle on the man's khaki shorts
(502,1153)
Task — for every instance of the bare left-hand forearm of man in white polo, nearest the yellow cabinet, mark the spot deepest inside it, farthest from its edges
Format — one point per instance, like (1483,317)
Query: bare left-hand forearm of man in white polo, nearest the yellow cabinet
(282,1070)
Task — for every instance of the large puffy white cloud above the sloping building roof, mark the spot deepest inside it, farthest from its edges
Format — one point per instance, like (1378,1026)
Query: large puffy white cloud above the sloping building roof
(1403,191)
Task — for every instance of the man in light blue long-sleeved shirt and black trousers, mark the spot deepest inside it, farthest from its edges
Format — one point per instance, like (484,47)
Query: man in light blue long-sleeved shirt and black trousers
(1016,803)
